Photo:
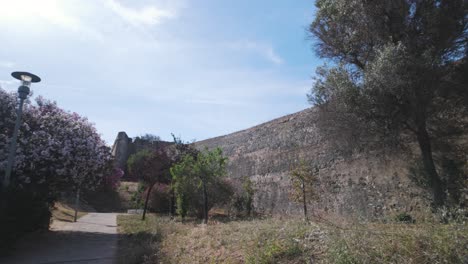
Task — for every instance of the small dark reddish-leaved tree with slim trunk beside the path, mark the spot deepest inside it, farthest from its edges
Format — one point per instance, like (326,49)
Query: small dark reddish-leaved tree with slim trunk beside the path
(151,166)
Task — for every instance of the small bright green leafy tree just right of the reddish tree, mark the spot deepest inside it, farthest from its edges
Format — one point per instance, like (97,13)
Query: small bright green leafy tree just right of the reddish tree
(204,172)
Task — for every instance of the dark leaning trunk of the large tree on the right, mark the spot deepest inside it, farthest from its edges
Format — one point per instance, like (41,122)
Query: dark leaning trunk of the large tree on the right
(433,177)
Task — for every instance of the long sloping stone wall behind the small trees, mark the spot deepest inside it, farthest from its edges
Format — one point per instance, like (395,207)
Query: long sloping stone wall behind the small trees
(366,186)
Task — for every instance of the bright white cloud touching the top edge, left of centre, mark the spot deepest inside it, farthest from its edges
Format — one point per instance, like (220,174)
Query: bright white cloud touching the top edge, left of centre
(147,16)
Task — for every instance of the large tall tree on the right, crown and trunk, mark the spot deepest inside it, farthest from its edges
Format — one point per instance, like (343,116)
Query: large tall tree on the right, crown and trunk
(398,71)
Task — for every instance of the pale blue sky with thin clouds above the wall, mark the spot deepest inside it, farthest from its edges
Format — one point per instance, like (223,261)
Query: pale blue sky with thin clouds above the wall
(198,69)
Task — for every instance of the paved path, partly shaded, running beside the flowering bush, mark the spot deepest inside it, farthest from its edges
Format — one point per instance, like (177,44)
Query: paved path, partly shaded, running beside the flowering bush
(93,239)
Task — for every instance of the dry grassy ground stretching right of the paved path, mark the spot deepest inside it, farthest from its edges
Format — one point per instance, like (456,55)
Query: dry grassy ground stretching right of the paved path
(161,240)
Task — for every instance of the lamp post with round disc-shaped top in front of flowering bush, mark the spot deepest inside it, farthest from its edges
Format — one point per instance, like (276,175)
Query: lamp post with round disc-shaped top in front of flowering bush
(26,79)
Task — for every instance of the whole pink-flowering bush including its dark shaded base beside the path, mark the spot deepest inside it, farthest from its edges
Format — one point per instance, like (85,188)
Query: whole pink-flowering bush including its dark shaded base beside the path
(58,151)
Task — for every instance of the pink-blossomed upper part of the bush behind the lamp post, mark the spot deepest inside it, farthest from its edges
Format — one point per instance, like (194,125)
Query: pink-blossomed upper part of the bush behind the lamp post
(55,147)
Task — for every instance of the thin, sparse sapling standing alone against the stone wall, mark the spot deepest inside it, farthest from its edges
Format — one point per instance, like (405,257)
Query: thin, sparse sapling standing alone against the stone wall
(303,178)
